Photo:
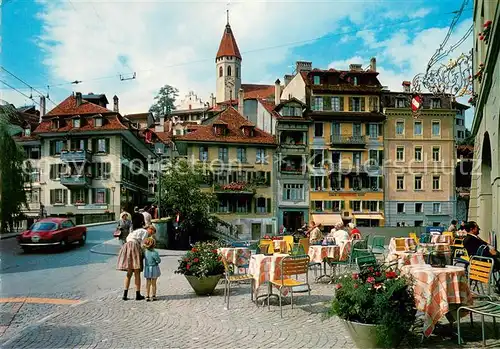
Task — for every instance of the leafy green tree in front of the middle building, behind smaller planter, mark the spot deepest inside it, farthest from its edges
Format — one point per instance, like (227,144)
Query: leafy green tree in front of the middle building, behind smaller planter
(181,193)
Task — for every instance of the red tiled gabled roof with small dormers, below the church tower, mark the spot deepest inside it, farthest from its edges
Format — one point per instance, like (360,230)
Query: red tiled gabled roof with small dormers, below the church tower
(234,120)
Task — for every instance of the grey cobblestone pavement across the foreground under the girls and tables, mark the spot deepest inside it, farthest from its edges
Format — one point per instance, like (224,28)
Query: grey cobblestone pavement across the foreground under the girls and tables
(180,319)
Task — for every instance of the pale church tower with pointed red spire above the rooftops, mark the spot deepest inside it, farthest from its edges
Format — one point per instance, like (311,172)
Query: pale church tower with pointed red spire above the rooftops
(228,67)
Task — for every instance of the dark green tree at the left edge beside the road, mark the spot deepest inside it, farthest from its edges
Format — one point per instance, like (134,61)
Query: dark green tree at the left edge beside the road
(12,178)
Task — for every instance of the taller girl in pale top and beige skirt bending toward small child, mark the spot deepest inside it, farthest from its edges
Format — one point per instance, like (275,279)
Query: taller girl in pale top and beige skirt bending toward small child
(130,258)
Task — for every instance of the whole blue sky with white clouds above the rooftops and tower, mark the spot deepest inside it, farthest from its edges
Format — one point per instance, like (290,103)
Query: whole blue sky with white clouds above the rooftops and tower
(51,43)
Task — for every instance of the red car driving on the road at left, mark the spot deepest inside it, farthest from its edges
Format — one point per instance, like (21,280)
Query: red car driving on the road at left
(52,232)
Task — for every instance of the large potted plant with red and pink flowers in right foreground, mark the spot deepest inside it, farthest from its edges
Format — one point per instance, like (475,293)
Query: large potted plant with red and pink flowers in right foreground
(377,307)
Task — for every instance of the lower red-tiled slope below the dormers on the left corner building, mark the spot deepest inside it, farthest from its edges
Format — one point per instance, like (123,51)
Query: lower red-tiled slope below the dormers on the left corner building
(110,123)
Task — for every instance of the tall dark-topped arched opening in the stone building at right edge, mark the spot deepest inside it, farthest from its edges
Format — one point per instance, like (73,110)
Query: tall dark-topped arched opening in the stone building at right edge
(485,192)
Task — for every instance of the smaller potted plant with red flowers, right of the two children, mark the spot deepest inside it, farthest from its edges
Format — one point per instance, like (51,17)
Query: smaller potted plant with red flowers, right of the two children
(202,266)
